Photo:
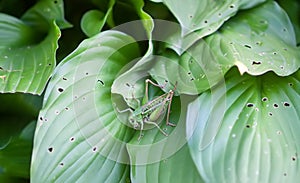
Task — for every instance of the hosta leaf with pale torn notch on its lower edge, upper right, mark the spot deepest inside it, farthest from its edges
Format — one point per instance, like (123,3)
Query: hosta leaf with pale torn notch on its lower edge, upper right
(250,41)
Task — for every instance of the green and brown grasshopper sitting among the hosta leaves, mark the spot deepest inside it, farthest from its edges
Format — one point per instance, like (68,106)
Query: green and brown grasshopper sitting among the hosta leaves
(151,111)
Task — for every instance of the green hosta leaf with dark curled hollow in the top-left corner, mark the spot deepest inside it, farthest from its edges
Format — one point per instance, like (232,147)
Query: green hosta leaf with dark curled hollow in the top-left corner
(28,46)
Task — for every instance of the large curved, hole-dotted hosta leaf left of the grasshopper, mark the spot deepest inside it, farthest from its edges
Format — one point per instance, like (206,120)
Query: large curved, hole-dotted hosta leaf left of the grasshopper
(78,135)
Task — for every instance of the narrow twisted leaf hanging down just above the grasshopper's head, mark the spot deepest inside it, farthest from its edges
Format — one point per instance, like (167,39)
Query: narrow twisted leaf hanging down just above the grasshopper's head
(137,70)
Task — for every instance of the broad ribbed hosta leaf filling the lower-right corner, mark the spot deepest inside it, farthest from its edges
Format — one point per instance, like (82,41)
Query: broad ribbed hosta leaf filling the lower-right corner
(258,132)
